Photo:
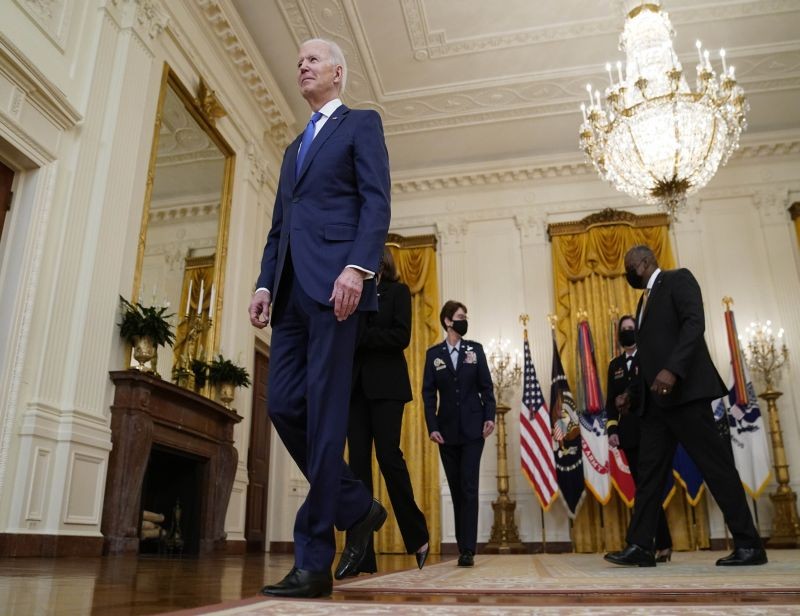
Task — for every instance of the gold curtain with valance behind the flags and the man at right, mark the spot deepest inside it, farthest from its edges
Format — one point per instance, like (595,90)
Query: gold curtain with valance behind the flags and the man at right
(588,274)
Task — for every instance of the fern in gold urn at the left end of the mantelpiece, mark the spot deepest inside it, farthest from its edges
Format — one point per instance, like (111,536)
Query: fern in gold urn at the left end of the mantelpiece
(145,328)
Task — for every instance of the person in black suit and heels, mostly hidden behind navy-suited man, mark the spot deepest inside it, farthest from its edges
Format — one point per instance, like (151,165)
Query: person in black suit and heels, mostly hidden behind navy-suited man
(381,388)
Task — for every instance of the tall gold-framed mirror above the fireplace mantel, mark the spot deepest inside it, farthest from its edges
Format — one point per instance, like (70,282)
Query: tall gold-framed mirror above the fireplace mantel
(183,238)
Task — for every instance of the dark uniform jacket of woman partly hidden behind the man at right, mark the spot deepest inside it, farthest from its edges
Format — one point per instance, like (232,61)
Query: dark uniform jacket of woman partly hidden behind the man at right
(622,379)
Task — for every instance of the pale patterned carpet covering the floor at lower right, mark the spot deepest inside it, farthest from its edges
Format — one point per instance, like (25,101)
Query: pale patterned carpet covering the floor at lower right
(575,584)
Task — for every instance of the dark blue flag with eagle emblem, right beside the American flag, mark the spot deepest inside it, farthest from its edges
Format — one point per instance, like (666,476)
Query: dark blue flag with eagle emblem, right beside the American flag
(566,436)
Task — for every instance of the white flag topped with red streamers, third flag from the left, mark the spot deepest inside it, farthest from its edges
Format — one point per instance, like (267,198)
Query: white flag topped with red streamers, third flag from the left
(592,415)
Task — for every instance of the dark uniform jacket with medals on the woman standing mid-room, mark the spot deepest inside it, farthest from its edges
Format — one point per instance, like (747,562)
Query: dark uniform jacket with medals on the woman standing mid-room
(466,395)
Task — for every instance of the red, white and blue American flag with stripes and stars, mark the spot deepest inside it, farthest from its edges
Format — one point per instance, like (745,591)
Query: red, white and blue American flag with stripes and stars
(536,447)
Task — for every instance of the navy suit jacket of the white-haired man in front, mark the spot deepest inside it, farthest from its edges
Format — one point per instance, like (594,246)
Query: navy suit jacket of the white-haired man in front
(336,213)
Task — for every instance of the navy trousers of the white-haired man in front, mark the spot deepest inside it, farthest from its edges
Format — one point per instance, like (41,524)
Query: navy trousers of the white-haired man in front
(311,363)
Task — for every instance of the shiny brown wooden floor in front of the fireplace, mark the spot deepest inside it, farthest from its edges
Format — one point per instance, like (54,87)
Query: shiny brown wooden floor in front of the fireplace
(128,585)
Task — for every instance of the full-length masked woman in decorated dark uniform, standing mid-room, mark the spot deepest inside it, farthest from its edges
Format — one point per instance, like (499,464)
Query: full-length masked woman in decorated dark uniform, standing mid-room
(458,372)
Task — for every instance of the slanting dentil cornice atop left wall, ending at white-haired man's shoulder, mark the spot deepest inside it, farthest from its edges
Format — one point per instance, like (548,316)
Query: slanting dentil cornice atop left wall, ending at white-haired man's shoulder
(247,70)
